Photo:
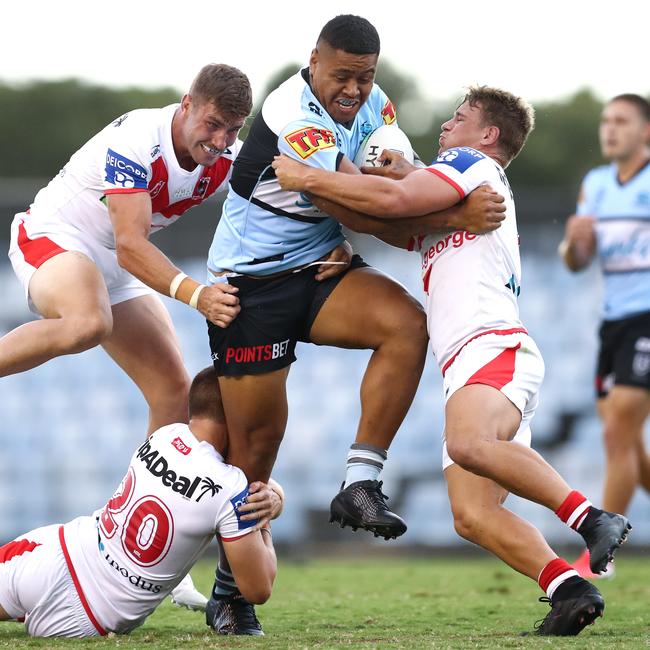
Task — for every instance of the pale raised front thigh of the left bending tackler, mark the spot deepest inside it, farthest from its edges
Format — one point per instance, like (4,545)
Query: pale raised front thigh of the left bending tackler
(70,284)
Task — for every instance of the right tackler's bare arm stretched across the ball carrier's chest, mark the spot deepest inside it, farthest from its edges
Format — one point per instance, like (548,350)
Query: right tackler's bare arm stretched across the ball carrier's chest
(419,193)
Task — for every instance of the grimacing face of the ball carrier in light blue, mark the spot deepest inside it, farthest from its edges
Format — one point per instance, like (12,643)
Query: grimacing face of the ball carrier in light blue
(341,81)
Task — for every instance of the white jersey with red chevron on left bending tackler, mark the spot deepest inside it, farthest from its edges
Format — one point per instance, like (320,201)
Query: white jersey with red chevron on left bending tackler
(134,153)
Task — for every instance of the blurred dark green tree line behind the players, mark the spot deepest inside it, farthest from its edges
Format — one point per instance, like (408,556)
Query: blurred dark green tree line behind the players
(43,123)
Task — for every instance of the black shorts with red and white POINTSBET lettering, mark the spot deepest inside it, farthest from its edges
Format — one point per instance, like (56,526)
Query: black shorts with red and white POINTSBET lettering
(275,314)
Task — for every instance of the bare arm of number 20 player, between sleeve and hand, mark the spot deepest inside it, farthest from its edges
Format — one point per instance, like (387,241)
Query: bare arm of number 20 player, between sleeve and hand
(253,564)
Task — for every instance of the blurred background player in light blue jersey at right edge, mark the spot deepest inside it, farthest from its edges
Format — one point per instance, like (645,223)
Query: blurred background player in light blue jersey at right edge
(612,224)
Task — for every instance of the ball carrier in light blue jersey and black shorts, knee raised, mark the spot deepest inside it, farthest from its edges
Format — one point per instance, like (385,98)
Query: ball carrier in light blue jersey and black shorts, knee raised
(275,247)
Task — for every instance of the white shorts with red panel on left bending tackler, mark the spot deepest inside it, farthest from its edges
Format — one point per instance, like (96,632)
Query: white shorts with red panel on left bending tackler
(34,241)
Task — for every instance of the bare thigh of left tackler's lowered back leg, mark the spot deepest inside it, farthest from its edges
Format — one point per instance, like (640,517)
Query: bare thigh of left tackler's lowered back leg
(144,344)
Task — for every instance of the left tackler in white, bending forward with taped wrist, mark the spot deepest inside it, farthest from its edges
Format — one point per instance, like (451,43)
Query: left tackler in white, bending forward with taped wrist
(83,255)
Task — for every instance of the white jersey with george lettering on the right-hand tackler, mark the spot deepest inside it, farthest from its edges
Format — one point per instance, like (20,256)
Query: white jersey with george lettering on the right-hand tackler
(471,281)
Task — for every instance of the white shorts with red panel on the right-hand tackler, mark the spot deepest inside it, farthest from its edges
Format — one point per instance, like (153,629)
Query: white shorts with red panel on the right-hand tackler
(510,363)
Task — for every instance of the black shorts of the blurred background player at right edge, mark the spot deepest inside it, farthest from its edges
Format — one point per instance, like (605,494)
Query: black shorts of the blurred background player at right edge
(624,357)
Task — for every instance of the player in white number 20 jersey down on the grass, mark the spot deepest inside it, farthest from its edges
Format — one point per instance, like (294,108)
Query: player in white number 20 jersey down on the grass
(107,572)
